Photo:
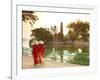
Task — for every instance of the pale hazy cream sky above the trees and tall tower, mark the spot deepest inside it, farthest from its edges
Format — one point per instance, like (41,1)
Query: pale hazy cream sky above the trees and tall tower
(48,19)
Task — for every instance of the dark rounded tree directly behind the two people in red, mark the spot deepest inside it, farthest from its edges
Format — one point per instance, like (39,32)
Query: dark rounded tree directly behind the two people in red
(42,34)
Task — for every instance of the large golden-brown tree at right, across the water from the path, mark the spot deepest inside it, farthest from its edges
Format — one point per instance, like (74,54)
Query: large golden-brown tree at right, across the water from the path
(78,30)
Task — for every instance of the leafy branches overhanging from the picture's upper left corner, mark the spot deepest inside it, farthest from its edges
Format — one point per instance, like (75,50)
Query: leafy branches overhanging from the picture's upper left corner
(29,15)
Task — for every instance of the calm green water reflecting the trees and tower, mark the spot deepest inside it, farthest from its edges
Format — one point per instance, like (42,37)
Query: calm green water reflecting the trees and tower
(65,54)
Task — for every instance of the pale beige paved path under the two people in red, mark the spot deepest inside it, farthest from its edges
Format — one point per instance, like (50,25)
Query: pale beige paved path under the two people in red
(28,63)
